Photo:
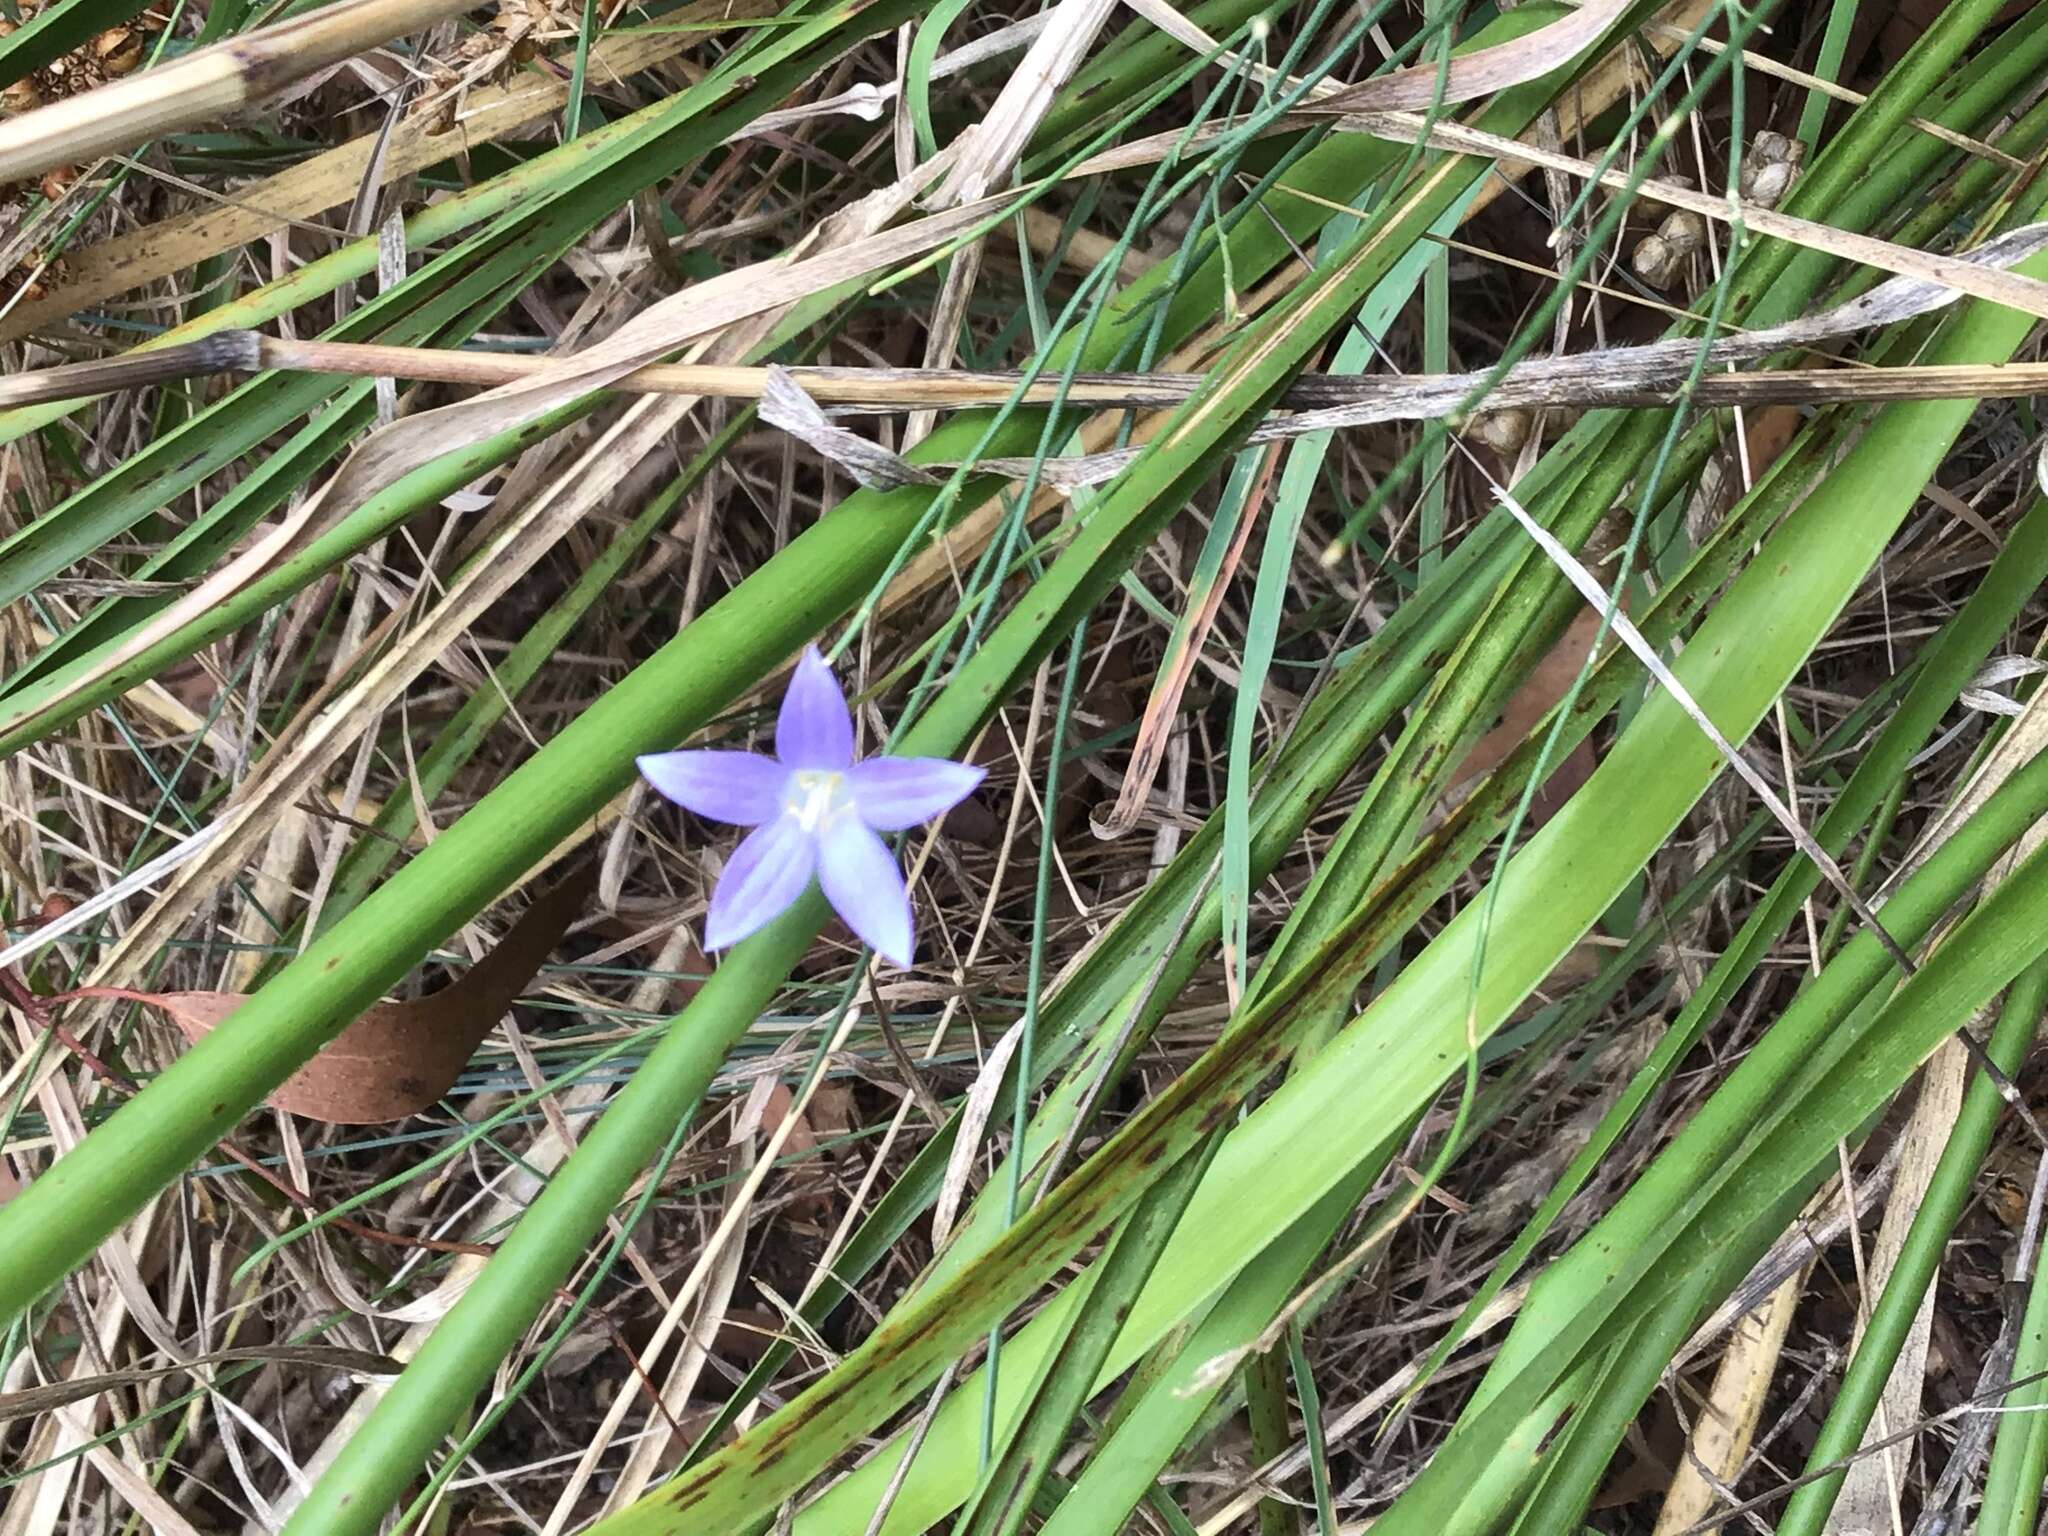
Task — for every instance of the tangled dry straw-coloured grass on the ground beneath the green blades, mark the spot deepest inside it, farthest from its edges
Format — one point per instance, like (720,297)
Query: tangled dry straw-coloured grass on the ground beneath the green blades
(202,1373)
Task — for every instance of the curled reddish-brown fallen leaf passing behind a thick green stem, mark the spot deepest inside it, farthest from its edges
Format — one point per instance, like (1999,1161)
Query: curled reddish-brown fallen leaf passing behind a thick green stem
(398,1060)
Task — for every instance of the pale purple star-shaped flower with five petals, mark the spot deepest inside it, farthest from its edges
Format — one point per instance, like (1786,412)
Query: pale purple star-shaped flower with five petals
(814,812)
